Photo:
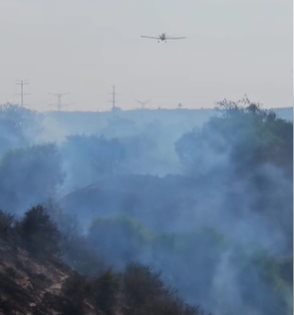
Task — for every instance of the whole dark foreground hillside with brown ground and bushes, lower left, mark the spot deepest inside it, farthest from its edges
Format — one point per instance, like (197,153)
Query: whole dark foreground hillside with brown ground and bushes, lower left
(34,280)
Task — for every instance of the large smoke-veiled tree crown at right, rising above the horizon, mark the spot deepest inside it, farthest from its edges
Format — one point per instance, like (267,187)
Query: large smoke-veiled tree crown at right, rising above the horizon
(250,137)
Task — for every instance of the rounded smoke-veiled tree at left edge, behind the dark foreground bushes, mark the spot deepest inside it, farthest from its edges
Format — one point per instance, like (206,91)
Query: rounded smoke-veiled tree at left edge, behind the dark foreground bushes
(29,176)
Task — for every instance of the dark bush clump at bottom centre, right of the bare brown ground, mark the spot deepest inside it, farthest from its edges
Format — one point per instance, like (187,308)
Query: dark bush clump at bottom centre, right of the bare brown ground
(137,291)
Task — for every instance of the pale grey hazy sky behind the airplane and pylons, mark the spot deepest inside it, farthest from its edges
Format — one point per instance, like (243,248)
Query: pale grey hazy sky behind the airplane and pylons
(85,46)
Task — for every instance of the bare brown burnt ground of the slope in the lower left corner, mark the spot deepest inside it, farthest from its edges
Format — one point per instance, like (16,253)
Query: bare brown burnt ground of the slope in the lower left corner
(32,286)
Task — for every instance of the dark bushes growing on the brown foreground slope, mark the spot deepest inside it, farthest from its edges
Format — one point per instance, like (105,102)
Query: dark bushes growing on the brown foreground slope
(137,290)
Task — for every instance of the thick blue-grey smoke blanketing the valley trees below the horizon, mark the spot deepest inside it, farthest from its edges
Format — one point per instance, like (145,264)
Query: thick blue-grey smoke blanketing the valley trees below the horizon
(203,197)
